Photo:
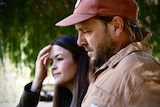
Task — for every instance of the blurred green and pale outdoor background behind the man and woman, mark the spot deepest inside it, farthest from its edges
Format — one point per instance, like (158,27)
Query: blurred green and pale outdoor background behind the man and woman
(26,26)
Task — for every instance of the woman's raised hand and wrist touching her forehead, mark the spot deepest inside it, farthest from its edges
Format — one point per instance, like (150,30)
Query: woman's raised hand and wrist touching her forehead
(41,68)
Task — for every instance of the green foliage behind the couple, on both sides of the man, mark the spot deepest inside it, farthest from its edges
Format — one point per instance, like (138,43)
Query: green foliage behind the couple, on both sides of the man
(26,26)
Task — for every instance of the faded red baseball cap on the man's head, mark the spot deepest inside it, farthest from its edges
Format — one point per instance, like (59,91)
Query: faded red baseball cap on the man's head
(86,9)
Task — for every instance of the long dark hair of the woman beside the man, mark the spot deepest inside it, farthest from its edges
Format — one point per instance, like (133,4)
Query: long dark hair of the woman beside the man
(63,97)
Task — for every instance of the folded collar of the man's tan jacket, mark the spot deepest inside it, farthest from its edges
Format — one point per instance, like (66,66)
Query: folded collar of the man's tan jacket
(115,59)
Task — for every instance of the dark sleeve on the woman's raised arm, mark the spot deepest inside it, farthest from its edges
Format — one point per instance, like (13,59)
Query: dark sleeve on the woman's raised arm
(28,98)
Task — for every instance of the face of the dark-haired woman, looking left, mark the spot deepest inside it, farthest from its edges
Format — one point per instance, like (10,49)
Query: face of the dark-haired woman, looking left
(63,67)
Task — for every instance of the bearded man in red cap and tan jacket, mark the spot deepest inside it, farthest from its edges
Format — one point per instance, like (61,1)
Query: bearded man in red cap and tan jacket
(127,74)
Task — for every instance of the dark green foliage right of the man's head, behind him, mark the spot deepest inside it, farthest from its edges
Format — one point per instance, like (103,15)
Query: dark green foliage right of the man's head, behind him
(149,16)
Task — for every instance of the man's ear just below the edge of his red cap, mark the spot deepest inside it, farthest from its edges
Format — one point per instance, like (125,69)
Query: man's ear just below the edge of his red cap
(118,24)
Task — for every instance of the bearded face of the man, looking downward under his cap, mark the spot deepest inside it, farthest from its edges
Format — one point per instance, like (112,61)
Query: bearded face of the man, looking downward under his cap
(97,39)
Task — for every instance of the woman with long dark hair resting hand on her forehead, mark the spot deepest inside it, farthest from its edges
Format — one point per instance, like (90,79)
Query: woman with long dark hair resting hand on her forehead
(69,66)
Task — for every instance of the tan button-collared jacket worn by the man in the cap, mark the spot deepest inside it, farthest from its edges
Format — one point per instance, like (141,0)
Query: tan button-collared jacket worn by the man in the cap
(131,78)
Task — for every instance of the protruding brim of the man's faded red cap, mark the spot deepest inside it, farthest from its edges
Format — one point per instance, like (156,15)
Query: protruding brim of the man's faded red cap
(73,19)
